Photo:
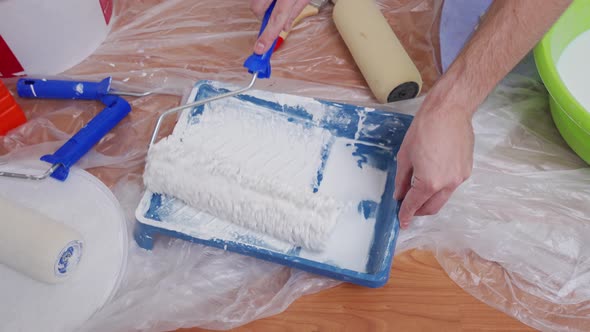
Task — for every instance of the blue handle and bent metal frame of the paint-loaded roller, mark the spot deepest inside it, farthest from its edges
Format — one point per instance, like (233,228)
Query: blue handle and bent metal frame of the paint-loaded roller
(257,64)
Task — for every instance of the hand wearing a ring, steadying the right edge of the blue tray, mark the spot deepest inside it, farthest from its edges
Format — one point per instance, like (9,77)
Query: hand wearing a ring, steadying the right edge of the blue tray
(434,159)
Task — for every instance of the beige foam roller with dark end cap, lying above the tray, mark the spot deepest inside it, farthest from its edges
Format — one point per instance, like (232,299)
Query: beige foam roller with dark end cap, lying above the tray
(388,69)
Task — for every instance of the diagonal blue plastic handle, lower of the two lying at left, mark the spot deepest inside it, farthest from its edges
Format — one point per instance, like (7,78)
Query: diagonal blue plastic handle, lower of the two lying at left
(116,110)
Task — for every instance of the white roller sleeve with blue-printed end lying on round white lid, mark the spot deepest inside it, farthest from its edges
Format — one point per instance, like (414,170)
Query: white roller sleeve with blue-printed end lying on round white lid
(37,246)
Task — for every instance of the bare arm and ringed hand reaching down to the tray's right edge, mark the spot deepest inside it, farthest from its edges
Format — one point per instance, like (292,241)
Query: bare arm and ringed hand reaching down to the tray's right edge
(437,151)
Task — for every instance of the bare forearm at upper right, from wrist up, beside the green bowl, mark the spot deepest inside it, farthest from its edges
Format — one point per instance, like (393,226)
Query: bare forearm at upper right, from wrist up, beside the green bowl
(510,29)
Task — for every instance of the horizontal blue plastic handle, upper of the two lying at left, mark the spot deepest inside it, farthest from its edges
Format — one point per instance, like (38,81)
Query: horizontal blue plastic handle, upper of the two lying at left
(58,89)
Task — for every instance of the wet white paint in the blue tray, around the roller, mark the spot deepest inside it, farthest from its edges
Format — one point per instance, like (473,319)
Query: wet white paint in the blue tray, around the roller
(349,242)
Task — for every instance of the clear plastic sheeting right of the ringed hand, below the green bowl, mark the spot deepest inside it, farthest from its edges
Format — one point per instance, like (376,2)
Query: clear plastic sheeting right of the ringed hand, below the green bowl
(515,235)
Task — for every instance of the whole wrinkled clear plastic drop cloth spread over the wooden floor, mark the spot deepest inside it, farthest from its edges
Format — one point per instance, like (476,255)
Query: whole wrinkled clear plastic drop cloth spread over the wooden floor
(514,235)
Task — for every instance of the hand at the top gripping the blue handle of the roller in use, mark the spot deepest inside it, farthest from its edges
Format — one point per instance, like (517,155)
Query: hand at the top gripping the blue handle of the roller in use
(282,18)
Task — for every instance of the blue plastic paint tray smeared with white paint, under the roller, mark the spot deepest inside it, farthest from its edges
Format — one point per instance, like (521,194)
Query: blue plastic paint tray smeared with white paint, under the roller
(358,167)
